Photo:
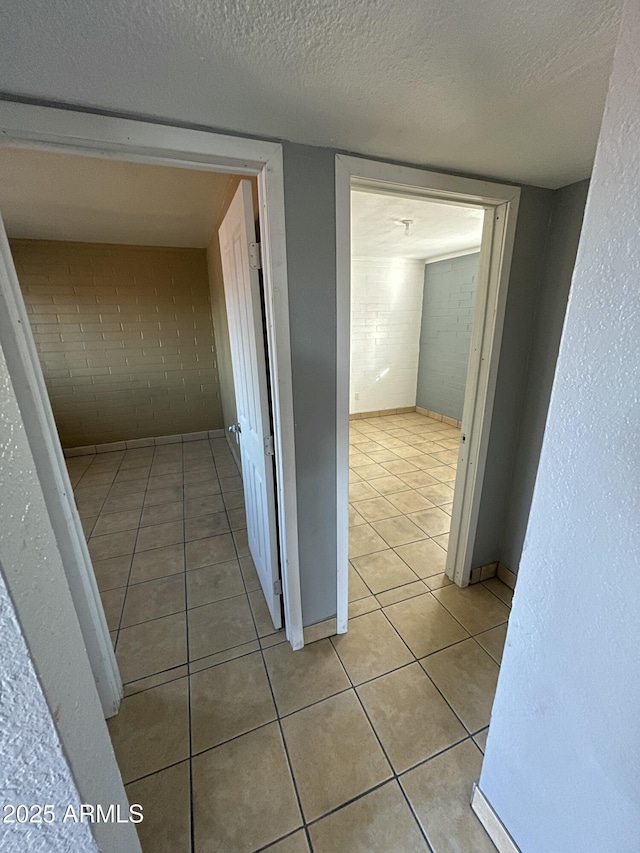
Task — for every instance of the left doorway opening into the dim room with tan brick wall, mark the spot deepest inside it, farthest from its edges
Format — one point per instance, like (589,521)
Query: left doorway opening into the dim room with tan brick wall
(118,266)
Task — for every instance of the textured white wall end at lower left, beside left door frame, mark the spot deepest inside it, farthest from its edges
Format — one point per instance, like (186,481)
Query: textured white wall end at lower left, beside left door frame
(42,755)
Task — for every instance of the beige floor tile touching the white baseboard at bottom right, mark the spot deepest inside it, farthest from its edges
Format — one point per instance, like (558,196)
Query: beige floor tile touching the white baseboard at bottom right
(439,792)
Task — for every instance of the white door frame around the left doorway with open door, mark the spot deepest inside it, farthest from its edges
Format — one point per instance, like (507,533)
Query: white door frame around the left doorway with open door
(133,140)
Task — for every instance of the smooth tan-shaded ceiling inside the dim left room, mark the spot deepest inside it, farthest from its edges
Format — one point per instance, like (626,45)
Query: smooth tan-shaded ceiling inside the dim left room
(52,196)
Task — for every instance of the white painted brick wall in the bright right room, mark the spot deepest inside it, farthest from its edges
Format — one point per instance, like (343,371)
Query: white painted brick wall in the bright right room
(386,312)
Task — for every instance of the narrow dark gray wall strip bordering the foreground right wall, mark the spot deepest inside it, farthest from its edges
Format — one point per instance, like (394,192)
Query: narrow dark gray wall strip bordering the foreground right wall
(560,258)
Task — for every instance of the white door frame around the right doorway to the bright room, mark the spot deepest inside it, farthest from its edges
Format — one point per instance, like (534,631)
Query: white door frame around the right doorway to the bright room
(500,202)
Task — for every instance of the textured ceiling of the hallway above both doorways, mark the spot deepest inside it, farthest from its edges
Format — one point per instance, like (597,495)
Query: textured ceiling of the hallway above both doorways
(506,88)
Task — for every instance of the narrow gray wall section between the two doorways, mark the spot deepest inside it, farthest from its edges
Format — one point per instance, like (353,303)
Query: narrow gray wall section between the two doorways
(310,217)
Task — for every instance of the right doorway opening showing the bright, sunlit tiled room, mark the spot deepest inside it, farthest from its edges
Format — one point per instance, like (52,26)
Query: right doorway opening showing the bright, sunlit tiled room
(414,272)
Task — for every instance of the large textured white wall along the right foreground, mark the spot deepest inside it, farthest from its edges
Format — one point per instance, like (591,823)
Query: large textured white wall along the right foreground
(562,767)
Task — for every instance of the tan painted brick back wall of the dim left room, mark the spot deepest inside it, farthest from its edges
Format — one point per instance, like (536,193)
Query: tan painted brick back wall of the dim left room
(125,338)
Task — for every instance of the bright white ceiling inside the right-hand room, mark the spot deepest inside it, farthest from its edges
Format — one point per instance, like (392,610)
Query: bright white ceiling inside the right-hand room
(377,229)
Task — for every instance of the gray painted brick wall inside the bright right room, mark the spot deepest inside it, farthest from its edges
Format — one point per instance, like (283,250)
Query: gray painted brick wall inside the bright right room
(445,336)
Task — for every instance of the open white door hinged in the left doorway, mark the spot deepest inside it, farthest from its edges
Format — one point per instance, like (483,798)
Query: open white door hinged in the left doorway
(246,335)
